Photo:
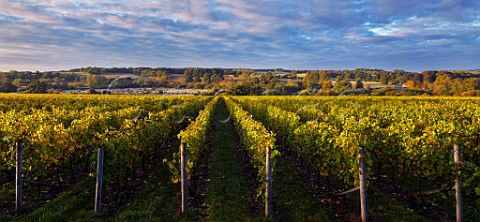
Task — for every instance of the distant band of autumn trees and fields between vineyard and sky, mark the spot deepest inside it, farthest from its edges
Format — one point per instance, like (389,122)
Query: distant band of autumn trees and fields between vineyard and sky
(246,81)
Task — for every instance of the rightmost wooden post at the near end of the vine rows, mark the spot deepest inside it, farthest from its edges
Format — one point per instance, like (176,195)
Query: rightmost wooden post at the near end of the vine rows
(458,181)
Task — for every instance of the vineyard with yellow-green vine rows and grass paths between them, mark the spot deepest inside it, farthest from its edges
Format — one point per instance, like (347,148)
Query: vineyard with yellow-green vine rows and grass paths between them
(311,144)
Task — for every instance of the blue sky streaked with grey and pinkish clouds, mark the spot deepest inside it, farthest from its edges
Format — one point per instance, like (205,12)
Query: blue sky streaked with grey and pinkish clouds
(412,35)
